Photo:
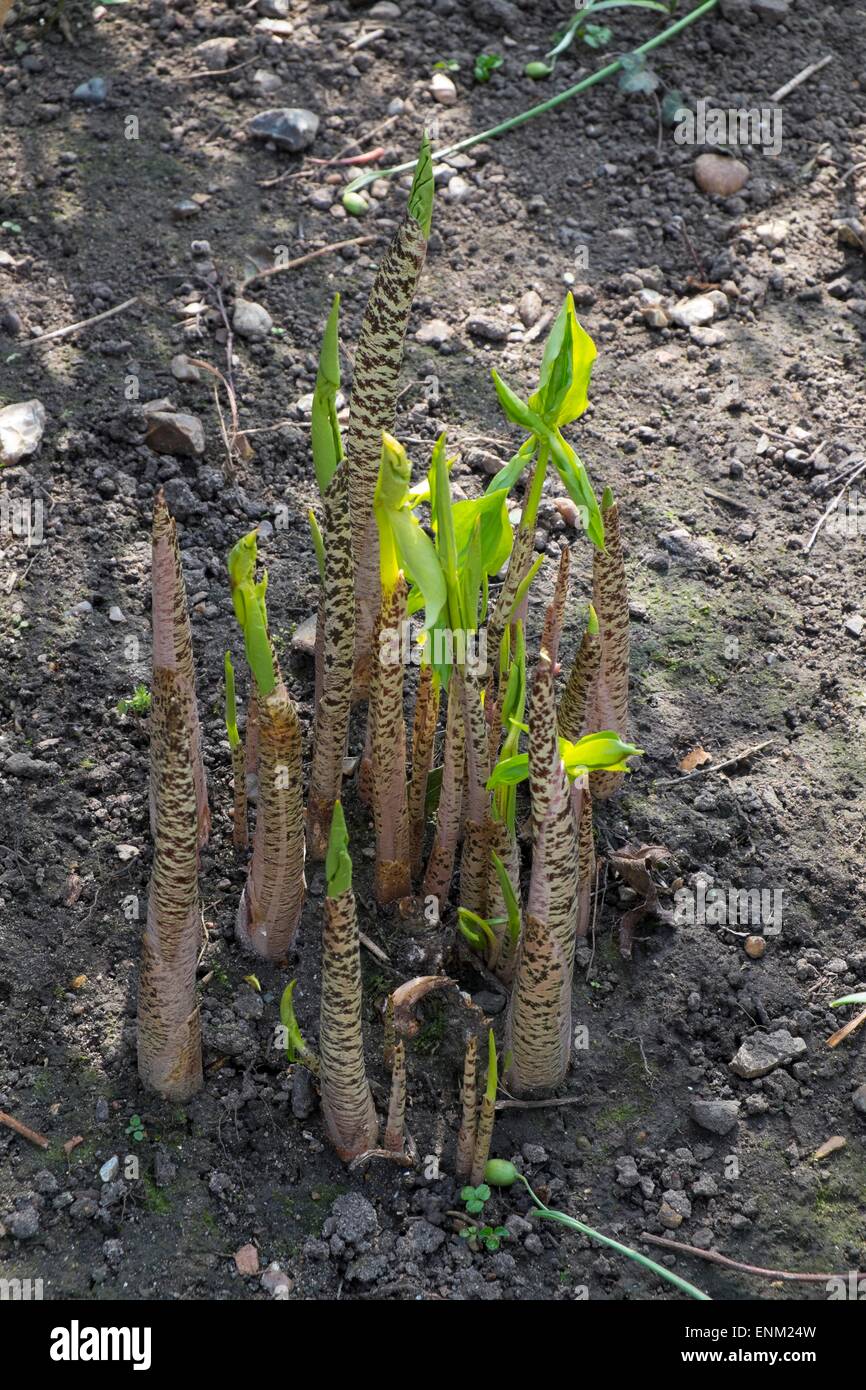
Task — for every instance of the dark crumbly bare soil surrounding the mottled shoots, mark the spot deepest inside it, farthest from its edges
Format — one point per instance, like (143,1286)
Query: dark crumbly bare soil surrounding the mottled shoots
(724,452)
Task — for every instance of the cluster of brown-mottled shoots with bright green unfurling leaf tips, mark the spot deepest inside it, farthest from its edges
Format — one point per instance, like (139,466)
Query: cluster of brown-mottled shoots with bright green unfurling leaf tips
(393,550)
